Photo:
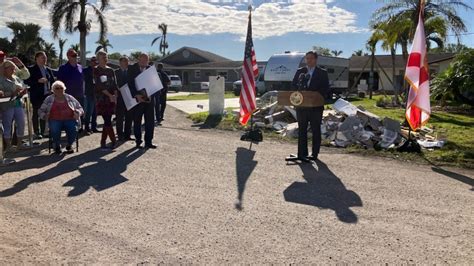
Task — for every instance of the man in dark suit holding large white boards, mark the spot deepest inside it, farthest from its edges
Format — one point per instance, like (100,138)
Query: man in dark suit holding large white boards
(145,107)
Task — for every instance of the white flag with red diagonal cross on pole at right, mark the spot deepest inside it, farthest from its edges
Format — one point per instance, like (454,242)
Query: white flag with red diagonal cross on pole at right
(417,75)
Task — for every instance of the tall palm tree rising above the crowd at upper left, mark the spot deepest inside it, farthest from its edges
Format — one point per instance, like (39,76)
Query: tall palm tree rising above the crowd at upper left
(67,10)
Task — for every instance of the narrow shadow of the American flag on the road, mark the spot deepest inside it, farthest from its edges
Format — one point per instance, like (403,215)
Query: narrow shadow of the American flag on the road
(244,166)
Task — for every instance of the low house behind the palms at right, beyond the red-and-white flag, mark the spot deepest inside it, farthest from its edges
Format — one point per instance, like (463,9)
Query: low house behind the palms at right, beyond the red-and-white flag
(360,65)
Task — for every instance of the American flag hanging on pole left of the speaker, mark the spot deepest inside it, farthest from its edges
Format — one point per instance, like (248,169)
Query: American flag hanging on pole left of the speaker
(249,73)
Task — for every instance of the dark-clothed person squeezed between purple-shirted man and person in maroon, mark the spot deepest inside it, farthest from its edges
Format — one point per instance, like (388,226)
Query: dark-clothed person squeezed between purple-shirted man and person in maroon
(90,119)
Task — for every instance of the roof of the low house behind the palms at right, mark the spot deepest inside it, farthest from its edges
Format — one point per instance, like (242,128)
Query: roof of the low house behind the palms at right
(358,62)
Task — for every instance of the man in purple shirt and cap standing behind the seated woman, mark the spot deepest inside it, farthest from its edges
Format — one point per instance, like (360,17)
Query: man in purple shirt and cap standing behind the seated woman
(71,74)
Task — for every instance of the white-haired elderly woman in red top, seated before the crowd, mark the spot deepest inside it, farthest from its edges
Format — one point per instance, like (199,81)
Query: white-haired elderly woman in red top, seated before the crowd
(63,112)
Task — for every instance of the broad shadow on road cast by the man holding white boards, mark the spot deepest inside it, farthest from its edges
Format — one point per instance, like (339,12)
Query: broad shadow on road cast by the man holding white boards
(103,174)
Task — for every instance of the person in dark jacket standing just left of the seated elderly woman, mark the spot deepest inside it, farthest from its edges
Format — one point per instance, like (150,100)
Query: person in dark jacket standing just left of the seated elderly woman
(40,81)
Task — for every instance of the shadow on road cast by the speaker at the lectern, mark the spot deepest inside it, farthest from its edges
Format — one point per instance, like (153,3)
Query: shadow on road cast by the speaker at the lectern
(323,189)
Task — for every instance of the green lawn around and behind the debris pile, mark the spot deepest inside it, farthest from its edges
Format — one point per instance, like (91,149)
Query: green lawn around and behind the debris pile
(459,129)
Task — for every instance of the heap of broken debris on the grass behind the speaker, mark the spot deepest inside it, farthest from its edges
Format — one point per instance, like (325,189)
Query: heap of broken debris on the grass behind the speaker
(344,125)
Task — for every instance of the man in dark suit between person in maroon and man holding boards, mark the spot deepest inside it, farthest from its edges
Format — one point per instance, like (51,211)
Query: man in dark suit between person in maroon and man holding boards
(121,113)
